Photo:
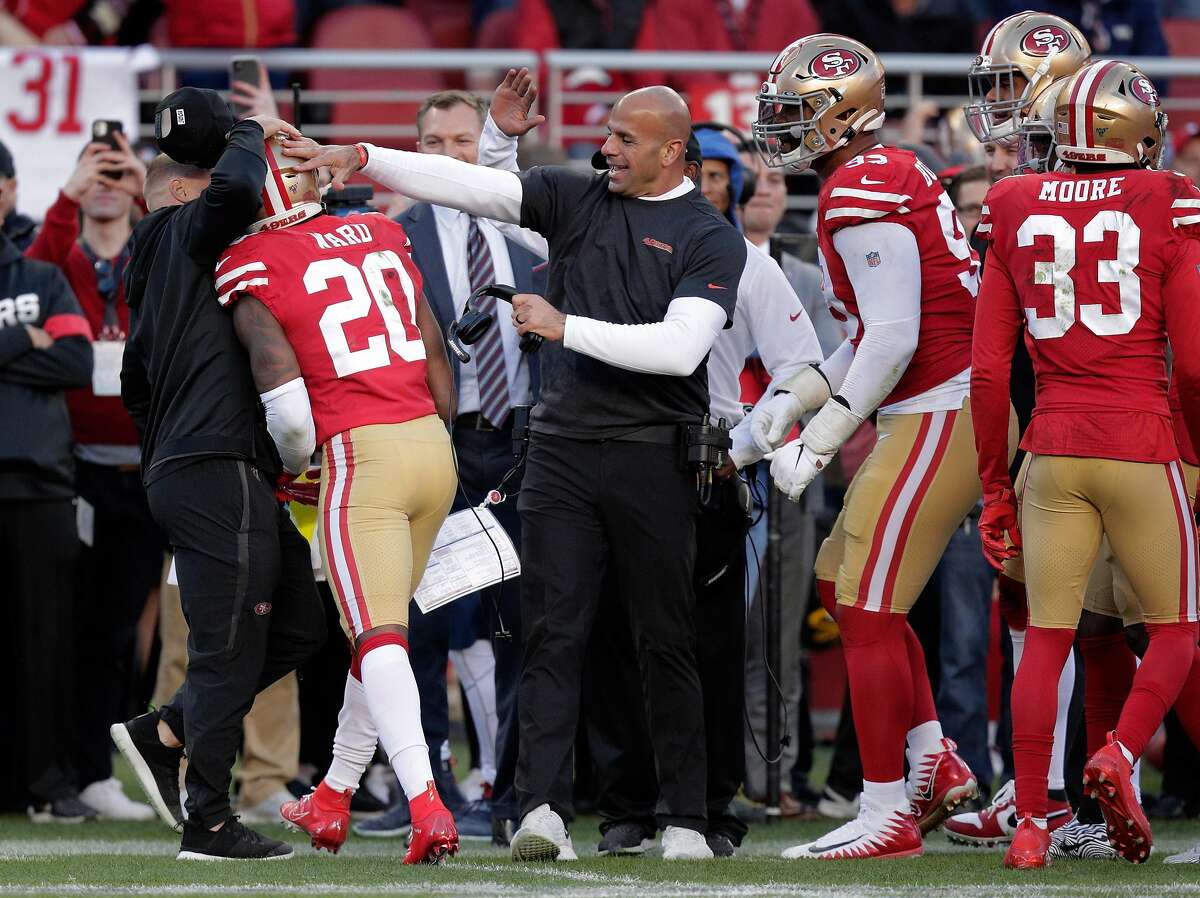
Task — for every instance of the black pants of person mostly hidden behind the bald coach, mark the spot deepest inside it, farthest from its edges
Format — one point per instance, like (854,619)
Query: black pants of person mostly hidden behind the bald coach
(627,788)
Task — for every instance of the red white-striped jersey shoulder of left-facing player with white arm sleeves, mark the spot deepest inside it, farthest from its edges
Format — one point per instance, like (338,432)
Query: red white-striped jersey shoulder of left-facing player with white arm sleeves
(871,188)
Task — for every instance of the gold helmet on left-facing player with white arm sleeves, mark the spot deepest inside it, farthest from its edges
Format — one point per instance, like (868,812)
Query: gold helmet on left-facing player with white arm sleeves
(820,93)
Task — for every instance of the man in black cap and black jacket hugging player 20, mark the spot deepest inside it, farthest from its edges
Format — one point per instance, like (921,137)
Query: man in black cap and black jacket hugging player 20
(211,471)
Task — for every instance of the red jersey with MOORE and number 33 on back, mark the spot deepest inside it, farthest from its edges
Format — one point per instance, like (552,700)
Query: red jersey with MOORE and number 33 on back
(1100,270)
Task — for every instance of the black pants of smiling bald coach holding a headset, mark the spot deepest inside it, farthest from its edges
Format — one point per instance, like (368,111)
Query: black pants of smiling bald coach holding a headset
(621,513)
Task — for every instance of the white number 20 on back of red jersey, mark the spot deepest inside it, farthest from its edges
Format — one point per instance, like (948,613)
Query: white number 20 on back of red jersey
(368,288)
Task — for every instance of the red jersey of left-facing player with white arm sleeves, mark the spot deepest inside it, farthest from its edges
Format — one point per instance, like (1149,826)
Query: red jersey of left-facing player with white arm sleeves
(891,185)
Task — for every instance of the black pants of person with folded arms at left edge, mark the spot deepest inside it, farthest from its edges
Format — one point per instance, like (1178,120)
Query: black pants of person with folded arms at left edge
(39,550)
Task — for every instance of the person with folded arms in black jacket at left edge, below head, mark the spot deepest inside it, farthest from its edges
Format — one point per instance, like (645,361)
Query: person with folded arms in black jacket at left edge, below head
(45,350)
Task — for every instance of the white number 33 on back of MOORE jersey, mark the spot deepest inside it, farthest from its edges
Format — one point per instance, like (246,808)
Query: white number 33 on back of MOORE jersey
(1058,273)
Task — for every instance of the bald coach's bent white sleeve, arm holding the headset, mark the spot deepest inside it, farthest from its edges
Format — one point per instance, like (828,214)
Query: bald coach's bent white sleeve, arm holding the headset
(674,346)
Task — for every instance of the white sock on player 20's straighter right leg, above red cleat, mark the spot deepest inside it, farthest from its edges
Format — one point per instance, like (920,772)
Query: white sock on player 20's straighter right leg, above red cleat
(397,710)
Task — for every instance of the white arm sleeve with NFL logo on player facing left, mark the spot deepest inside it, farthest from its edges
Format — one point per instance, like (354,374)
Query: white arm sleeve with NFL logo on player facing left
(889,298)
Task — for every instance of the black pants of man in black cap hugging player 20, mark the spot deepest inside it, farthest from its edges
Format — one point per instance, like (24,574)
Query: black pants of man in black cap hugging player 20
(247,586)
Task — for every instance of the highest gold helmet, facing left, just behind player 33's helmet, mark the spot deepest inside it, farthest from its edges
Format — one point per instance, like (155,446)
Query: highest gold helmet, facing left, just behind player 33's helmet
(1021,57)
